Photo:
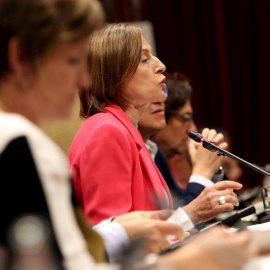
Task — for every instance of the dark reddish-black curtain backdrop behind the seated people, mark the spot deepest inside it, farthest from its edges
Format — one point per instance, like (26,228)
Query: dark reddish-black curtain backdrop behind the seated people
(223,46)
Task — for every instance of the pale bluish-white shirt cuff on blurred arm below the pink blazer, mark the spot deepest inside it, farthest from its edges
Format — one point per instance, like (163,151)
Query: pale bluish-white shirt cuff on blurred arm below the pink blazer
(115,238)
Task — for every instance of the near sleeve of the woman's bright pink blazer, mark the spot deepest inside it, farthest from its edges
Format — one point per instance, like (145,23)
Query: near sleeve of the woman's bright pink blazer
(106,173)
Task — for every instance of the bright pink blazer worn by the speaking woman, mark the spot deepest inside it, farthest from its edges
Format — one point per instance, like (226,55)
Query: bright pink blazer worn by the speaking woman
(113,172)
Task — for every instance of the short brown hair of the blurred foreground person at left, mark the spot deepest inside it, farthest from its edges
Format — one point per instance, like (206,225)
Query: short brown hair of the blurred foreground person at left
(38,24)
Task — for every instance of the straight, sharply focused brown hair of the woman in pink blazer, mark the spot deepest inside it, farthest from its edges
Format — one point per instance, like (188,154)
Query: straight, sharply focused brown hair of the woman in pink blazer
(114,55)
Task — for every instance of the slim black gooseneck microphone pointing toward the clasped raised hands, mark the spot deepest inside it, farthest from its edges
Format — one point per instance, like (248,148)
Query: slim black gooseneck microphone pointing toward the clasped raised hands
(221,152)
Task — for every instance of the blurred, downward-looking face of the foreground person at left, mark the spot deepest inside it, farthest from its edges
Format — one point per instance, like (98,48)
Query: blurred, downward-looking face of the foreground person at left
(59,76)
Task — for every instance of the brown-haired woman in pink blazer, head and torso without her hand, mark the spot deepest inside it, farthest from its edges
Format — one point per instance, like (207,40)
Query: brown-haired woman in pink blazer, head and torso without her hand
(113,171)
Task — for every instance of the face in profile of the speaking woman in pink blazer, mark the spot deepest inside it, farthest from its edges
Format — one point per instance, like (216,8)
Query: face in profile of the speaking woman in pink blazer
(147,84)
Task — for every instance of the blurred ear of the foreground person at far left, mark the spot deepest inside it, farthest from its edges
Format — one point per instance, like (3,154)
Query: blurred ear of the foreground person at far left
(17,64)
